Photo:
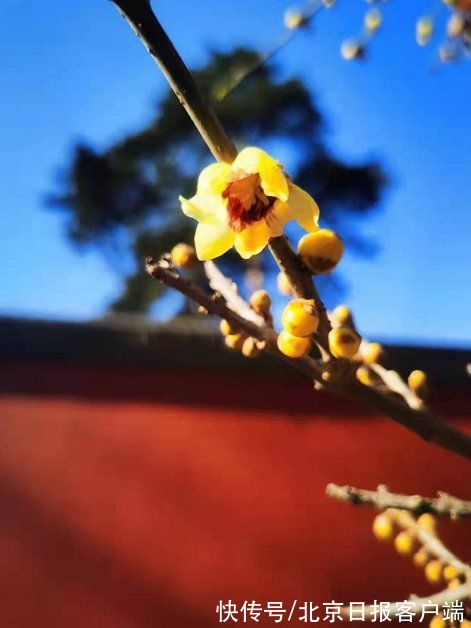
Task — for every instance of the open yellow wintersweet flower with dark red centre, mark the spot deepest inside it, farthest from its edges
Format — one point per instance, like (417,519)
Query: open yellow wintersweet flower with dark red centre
(244,204)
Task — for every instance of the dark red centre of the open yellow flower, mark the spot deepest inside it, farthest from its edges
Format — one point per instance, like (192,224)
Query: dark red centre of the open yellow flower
(246,201)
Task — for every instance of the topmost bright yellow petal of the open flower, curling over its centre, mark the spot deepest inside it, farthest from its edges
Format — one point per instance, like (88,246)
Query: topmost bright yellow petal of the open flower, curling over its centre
(255,160)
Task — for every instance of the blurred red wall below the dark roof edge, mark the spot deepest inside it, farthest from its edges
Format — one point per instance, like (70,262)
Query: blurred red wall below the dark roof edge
(140,497)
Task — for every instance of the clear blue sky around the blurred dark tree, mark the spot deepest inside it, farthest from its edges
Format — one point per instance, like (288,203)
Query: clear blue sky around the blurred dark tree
(73,70)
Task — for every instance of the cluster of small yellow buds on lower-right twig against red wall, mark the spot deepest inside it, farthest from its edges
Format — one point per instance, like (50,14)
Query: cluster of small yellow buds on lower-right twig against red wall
(386,528)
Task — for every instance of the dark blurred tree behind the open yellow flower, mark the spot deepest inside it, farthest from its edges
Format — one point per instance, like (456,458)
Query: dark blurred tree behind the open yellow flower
(124,199)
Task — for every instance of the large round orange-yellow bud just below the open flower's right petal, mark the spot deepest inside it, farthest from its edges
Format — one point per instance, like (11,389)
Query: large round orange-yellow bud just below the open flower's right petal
(321,250)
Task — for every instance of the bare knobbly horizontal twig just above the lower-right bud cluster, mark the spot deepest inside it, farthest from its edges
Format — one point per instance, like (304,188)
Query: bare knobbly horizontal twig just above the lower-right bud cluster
(382,499)
